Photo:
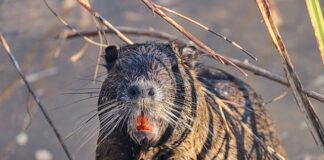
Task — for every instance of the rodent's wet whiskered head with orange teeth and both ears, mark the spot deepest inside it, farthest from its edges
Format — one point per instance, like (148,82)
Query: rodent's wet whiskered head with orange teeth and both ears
(148,89)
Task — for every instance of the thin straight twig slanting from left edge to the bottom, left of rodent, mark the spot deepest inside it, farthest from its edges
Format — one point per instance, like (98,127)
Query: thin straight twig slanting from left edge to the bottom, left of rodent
(46,115)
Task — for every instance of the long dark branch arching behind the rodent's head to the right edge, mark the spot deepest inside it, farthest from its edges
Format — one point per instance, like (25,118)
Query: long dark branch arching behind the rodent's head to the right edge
(246,66)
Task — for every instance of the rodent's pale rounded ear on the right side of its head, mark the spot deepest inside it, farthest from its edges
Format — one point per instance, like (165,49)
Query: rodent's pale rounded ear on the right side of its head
(190,56)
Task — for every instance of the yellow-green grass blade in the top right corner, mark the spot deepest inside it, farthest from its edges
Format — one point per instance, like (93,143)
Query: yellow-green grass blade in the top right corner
(316,16)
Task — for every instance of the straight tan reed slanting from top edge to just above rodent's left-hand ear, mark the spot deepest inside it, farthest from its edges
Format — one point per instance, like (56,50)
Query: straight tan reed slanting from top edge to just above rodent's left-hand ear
(105,22)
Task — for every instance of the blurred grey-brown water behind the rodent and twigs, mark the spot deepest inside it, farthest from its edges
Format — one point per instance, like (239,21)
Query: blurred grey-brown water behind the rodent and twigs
(61,72)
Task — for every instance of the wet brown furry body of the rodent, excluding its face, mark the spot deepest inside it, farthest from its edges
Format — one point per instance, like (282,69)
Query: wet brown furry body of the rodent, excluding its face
(208,138)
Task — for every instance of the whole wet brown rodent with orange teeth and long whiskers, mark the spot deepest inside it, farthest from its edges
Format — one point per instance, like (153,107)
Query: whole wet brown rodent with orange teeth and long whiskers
(153,104)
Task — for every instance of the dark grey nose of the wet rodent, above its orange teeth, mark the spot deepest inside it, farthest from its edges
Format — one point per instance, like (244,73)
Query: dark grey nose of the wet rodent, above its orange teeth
(137,91)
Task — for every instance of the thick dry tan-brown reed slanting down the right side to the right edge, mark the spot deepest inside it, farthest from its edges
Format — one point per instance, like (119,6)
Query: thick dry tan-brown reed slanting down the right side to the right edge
(314,123)
